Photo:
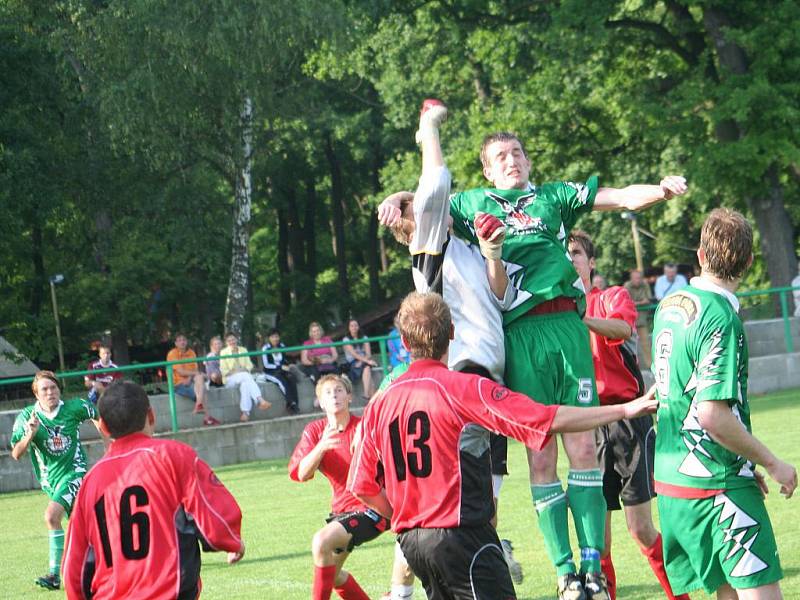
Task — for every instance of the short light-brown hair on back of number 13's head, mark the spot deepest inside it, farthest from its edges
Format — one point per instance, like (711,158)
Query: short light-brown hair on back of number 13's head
(424,322)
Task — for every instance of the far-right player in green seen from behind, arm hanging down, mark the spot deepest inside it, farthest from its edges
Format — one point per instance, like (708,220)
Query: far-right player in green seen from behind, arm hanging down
(716,531)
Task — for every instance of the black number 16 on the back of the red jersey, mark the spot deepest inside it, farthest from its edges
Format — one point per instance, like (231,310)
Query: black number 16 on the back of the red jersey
(128,522)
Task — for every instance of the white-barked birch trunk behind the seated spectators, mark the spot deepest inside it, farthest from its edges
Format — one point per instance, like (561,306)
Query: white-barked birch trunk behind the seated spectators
(236,304)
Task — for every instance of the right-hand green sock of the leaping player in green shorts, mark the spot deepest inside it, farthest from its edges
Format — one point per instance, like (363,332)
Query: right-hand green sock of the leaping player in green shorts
(588,505)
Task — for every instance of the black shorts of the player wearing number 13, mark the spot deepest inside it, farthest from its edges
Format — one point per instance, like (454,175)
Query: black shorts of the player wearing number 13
(458,563)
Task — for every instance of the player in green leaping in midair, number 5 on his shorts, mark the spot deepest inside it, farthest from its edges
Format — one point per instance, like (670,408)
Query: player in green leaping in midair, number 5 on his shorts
(548,356)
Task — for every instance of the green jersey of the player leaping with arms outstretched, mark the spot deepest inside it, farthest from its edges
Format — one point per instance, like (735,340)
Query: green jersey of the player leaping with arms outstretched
(537,222)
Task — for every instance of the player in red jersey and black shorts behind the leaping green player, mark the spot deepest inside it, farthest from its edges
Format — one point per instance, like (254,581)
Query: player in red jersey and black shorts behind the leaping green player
(626,449)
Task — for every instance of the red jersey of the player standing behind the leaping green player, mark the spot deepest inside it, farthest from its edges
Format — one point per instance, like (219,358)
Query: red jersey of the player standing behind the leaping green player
(616,367)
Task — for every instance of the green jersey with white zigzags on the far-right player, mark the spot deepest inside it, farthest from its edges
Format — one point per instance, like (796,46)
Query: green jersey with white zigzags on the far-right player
(699,354)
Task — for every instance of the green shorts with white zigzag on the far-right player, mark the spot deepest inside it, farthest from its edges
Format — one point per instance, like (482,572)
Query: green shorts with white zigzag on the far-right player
(711,541)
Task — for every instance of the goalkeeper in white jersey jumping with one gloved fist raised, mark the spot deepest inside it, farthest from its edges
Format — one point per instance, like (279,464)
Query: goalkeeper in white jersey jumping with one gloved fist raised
(458,271)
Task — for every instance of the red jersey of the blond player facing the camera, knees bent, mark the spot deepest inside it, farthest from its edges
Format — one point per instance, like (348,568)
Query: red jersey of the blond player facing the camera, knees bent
(334,465)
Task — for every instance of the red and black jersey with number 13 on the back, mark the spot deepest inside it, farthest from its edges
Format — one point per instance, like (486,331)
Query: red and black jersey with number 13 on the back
(414,428)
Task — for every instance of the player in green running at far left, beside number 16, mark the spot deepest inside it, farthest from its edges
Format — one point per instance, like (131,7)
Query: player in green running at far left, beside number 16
(49,428)
